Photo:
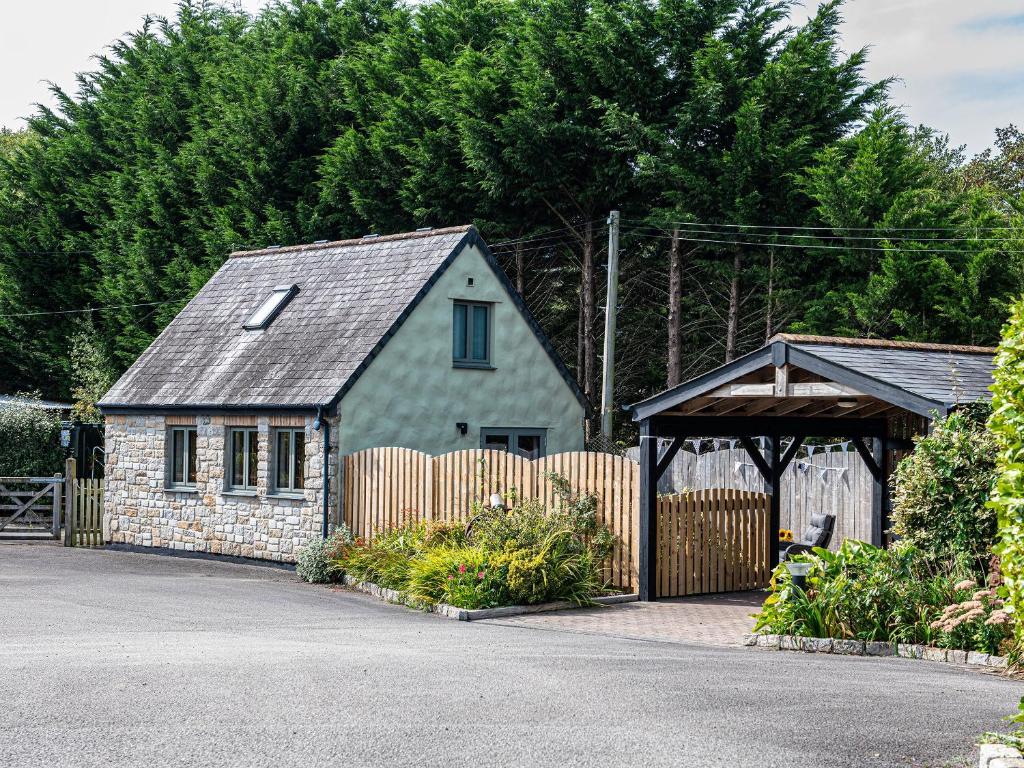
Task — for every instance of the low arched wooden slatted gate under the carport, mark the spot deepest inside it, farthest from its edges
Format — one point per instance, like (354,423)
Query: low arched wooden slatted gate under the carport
(716,540)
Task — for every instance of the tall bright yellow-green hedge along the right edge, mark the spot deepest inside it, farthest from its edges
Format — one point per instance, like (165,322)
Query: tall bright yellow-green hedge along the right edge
(1007,423)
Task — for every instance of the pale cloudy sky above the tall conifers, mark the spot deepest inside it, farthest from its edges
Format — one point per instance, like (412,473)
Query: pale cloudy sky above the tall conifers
(961,63)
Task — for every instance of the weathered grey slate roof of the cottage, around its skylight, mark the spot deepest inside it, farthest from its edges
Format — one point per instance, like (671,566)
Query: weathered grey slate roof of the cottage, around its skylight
(353,296)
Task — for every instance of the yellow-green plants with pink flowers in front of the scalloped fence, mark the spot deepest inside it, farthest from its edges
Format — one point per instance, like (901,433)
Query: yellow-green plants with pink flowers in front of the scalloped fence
(521,557)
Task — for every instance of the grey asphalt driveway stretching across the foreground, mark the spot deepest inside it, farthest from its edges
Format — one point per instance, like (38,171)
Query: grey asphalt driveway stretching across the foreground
(109,659)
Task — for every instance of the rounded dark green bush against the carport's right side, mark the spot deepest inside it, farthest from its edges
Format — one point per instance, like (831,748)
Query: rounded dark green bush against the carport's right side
(941,491)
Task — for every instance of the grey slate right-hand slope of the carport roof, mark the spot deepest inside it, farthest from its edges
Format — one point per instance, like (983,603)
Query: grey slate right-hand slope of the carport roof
(945,373)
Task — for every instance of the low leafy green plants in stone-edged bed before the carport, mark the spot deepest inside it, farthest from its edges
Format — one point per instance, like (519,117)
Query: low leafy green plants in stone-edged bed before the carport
(867,593)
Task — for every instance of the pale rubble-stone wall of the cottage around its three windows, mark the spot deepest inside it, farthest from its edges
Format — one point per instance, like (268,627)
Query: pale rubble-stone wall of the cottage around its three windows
(141,511)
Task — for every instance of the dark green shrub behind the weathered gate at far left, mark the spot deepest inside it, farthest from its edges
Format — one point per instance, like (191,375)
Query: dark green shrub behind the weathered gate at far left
(30,441)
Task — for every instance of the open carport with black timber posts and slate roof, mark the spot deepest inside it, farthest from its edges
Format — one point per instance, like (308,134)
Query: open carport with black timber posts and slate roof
(878,395)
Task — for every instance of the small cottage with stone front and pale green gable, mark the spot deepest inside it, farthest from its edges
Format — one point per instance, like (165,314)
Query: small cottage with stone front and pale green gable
(225,436)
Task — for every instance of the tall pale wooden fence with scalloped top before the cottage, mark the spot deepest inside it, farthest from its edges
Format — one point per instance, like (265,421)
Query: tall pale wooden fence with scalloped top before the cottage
(389,487)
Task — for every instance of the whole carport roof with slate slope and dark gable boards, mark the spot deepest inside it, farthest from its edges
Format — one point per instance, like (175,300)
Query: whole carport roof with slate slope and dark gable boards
(920,378)
